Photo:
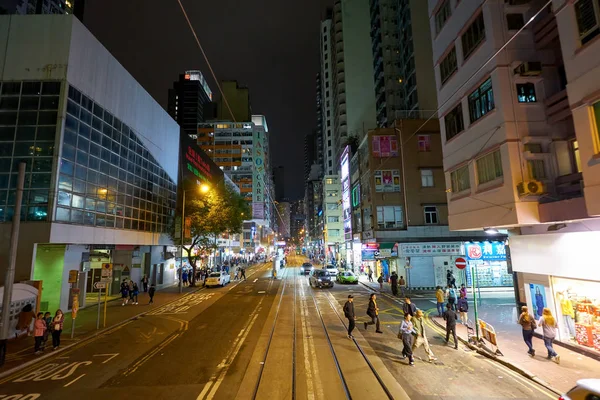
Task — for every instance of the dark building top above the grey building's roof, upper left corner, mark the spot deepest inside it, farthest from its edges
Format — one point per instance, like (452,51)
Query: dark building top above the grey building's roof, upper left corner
(23,7)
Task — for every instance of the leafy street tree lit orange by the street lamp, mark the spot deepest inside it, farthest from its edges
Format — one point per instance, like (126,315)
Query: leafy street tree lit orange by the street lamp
(208,215)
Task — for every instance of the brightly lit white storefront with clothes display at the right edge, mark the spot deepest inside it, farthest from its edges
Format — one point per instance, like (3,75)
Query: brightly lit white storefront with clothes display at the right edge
(553,273)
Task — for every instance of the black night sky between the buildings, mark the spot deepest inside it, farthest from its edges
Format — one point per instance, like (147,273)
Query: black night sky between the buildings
(271,46)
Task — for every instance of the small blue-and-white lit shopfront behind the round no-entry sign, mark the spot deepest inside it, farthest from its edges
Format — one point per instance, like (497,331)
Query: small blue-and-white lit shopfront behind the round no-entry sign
(489,262)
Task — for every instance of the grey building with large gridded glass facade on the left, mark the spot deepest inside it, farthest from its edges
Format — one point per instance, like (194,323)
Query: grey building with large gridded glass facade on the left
(102,161)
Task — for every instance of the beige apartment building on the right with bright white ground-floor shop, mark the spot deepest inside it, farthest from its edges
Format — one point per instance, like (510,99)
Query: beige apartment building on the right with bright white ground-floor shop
(519,134)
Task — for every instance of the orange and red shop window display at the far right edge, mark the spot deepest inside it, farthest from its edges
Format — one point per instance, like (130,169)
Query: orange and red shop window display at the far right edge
(578,304)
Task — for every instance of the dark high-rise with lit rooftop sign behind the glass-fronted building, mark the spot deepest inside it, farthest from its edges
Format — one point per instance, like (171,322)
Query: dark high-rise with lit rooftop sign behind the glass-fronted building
(187,100)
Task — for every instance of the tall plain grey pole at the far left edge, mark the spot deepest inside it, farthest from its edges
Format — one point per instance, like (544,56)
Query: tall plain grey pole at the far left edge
(9,277)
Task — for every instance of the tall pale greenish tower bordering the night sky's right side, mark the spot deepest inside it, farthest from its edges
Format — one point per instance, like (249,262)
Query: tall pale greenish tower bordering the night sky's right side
(352,89)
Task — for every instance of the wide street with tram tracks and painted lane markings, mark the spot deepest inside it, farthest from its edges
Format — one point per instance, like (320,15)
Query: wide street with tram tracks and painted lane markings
(263,338)
